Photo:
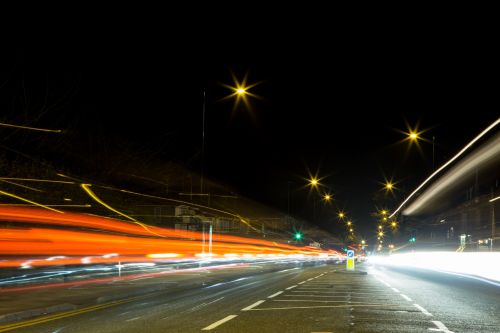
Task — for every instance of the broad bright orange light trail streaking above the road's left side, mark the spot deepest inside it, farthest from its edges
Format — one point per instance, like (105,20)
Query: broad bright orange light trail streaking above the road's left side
(50,236)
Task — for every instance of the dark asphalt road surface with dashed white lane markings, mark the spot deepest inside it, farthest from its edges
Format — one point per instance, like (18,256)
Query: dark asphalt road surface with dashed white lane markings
(295,298)
